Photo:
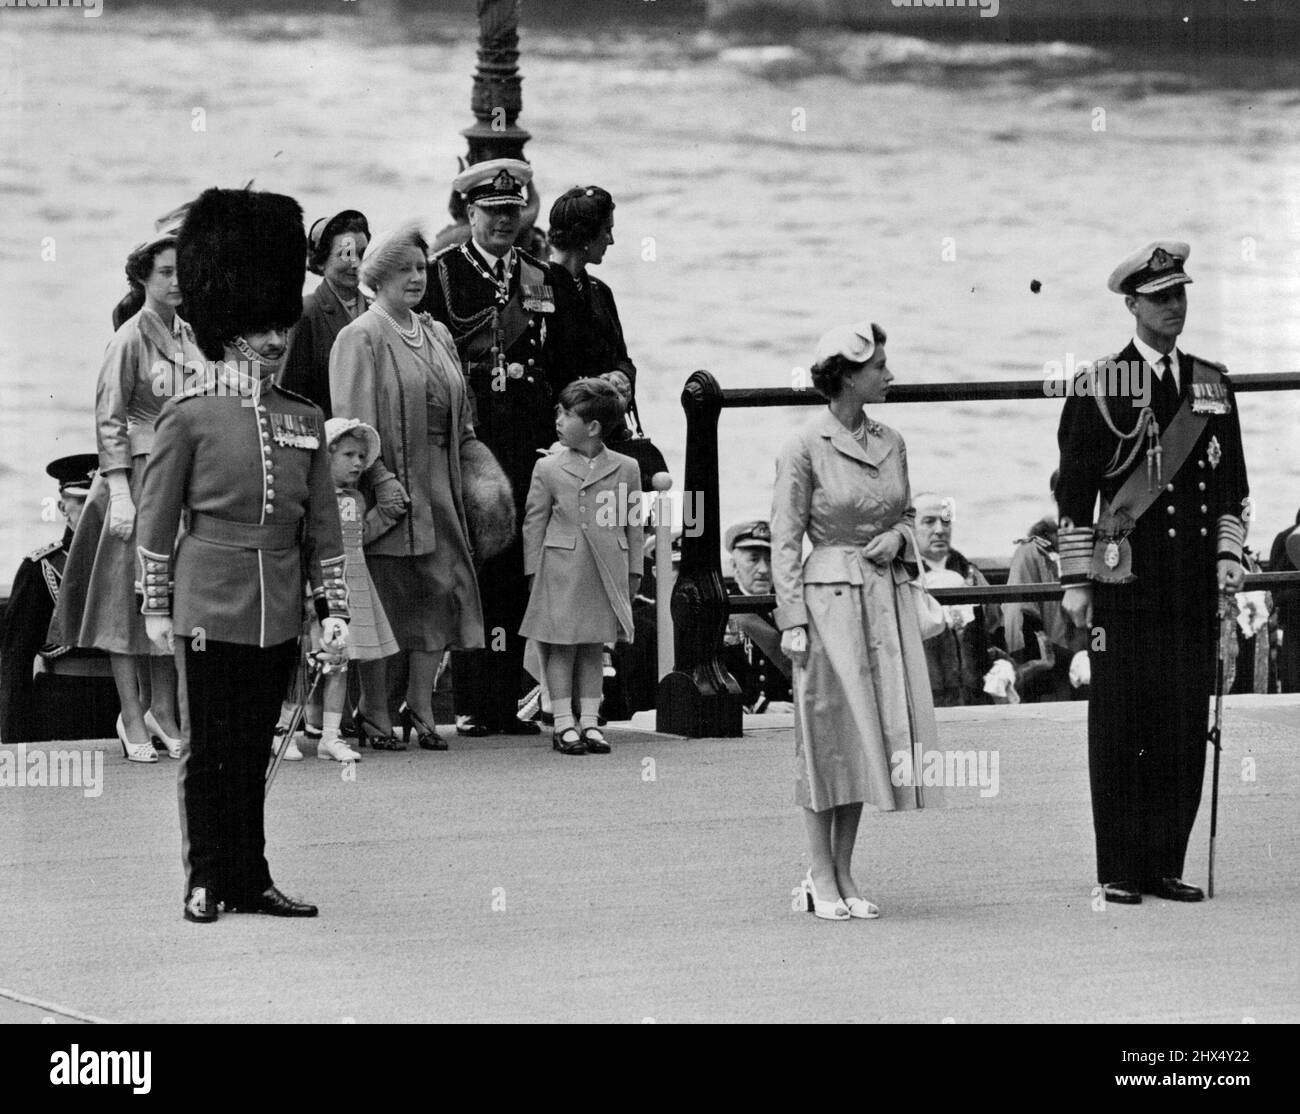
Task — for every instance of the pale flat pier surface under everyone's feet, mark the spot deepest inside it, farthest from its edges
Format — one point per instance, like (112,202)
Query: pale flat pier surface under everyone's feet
(504,882)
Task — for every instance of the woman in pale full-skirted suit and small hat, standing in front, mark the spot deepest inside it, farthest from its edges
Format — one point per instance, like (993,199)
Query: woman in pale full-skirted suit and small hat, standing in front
(863,706)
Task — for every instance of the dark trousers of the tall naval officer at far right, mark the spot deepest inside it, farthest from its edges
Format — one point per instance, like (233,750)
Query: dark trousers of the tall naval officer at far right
(1149,714)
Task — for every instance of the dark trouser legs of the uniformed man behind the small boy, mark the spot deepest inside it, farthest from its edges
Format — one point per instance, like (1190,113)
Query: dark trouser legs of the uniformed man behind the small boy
(487,684)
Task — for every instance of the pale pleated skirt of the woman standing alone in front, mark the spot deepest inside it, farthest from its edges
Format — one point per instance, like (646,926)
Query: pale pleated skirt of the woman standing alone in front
(864,717)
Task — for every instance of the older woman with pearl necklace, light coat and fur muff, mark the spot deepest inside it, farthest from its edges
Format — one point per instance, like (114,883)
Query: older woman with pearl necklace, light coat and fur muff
(398,372)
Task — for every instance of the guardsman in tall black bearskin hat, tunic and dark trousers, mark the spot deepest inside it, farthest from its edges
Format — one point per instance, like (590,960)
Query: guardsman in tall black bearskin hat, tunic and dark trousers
(248,460)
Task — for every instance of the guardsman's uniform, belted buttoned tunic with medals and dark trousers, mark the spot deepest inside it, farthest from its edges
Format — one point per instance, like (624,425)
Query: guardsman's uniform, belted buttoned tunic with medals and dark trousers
(249,463)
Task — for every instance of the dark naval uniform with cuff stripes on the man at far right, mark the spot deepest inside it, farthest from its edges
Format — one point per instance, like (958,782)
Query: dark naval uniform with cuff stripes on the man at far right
(1154,627)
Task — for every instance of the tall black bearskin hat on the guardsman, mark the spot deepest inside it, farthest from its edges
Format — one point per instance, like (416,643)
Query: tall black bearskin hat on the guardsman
(241,258)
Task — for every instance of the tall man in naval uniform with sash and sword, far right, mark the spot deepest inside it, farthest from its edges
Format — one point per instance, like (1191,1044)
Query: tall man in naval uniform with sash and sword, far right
(1156,435)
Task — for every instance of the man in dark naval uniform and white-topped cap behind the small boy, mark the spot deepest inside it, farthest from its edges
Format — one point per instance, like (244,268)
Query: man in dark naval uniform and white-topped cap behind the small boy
(497,302)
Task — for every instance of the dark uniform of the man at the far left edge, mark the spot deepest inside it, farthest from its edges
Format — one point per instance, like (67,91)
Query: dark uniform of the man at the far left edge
(49,691)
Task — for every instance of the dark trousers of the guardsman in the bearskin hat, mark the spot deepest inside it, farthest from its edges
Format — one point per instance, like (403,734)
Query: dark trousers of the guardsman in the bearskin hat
(235,695)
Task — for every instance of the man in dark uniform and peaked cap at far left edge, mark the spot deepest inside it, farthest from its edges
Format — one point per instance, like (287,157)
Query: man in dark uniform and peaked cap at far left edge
(28,714)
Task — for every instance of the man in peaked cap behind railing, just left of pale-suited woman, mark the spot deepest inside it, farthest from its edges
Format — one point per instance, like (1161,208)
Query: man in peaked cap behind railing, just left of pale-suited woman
(752,649)
